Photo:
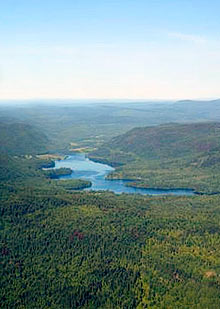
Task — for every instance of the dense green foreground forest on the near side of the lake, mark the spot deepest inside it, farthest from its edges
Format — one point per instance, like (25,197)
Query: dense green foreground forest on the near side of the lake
(66,249)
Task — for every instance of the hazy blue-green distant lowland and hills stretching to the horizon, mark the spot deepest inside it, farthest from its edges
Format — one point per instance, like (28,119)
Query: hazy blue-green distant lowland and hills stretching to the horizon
(90,124)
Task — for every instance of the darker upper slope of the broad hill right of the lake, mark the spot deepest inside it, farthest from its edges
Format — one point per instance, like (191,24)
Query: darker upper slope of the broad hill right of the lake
(173,140)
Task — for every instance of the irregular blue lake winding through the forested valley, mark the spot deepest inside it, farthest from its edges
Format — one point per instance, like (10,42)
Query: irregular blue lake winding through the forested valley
(87,169)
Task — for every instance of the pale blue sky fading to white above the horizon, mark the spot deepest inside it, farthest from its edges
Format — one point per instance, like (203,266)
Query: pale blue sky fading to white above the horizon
(125,49)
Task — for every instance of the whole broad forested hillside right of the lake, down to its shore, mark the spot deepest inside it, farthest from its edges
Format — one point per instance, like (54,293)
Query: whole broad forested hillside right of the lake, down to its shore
(167,156)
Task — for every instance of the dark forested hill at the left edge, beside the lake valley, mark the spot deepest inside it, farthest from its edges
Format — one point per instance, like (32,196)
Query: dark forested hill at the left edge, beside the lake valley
(21,138)
